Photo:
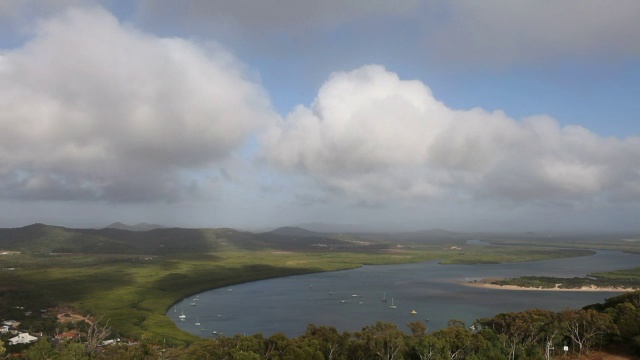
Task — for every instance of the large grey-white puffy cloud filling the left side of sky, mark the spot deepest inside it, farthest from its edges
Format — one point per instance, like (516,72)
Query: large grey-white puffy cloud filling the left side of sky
(93,109)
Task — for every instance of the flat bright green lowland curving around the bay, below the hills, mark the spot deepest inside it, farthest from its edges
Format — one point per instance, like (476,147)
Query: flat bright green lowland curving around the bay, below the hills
(134,291)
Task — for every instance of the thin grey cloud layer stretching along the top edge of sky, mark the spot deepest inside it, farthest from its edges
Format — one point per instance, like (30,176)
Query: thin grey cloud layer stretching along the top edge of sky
(457,33)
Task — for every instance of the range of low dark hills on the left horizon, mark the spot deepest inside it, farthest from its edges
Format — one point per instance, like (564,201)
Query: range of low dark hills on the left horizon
(119,239)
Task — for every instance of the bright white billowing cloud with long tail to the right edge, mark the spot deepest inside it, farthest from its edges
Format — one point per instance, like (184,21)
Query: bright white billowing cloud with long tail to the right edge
(370,135)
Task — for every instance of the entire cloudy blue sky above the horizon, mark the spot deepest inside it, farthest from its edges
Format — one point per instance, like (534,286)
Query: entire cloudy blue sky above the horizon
(387,115)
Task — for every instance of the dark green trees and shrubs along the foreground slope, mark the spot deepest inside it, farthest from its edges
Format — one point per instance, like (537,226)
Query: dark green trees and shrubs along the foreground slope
(531,334)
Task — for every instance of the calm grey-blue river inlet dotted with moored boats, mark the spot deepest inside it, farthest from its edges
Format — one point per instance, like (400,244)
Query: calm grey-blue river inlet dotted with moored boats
(288,304)
